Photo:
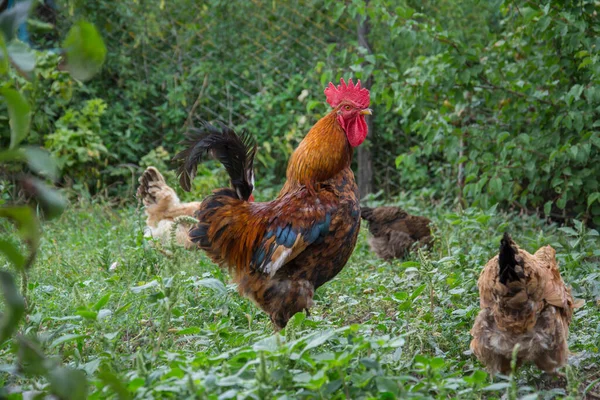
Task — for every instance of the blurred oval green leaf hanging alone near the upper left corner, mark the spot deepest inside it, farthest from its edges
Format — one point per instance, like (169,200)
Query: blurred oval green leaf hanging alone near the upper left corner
(85,51)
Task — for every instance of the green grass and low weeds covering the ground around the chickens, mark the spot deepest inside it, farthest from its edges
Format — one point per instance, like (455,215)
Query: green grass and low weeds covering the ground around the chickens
(169,324)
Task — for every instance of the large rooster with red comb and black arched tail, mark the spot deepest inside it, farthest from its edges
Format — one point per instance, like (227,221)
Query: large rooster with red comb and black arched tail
(279,252)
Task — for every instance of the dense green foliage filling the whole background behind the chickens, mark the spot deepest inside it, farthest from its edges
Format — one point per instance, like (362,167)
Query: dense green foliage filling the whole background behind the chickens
(480,101)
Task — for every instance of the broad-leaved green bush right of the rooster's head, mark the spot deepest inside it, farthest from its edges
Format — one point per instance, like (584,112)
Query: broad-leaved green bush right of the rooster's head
(516,110)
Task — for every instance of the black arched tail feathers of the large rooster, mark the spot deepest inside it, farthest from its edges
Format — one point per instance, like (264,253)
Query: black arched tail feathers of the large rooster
(235,152)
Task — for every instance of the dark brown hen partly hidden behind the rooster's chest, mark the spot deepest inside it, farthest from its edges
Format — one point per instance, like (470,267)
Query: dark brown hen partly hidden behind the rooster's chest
(395,231)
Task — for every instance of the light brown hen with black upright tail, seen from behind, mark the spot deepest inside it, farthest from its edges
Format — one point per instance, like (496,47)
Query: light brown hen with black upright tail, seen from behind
(524,302)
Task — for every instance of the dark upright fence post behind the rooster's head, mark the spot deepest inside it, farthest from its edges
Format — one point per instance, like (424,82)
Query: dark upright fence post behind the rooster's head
(365,165)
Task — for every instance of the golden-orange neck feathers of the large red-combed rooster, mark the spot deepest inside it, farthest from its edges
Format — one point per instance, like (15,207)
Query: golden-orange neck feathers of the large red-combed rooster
(322,154)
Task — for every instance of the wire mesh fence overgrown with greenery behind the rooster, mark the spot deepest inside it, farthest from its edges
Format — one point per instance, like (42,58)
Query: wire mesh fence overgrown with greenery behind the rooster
(171,63)
